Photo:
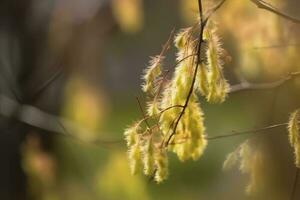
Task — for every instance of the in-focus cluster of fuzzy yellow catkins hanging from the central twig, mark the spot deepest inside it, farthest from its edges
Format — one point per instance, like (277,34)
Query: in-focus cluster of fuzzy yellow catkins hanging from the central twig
(150,138)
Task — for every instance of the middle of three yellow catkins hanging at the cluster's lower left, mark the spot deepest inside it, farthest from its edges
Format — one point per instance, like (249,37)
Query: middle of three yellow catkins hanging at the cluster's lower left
(148,157)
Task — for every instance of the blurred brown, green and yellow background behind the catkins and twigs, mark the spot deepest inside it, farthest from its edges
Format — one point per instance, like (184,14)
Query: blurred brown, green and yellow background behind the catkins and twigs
(70,73)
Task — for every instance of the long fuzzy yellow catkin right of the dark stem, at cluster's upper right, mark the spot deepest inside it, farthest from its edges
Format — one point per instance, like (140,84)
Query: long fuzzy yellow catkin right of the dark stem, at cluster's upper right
(218,86)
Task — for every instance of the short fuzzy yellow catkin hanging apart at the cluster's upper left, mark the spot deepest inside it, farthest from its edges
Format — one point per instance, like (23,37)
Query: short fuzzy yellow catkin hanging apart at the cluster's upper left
(152,72)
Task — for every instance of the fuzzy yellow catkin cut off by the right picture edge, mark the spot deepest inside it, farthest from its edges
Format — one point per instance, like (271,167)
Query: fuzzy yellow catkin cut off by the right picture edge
(293,130)
